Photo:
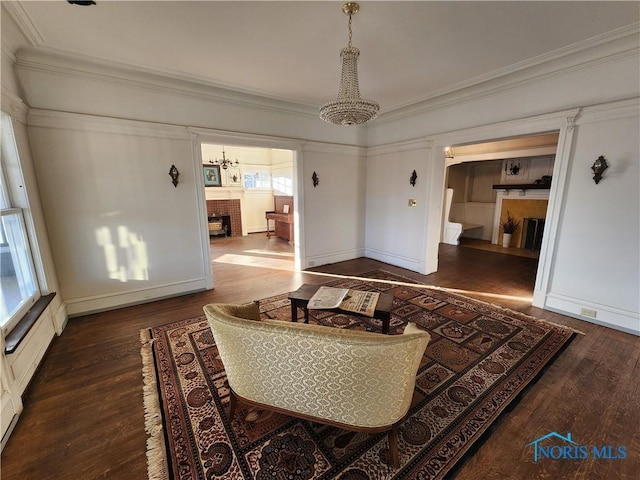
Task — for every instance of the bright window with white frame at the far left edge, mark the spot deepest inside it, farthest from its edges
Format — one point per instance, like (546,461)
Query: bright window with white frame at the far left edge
(20,288)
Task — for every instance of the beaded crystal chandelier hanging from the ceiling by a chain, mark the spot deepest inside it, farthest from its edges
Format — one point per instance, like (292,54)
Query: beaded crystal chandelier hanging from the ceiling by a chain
(349,108)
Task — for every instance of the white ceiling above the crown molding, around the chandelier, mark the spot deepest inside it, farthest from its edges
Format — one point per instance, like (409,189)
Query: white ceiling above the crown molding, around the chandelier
(410,51)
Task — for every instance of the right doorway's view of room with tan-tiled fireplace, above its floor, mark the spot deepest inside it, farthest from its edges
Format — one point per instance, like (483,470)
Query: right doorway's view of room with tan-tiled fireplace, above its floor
(485,183)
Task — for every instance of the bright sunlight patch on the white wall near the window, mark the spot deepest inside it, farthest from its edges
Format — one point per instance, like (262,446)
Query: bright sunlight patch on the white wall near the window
(128,259)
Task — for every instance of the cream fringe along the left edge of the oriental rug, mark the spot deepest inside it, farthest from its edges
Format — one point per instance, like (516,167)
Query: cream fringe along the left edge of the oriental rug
(157,468)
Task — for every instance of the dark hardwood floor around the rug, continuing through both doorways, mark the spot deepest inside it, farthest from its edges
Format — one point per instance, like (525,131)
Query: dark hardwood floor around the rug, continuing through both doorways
(84,420)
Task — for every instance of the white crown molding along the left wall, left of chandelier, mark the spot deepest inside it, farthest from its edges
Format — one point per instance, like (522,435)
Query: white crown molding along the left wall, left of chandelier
(57,62)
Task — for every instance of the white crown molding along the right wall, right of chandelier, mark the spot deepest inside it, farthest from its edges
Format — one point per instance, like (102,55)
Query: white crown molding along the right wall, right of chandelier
(605,48)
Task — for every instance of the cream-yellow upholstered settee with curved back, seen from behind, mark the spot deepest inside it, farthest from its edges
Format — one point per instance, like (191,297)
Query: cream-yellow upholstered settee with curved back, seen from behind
(350,379)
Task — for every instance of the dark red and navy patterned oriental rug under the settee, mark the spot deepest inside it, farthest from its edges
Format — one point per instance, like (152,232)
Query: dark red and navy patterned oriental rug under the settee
(479,360)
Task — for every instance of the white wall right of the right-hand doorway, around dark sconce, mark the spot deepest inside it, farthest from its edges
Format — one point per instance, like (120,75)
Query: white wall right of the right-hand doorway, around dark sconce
(598,255)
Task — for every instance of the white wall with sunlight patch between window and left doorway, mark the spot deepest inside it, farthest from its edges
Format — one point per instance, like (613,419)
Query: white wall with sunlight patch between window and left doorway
(120,231)
